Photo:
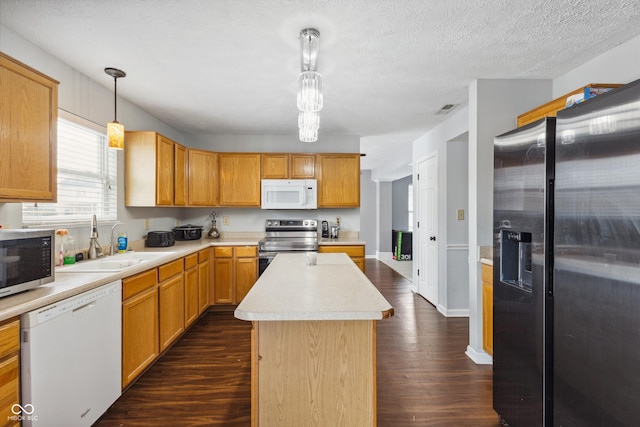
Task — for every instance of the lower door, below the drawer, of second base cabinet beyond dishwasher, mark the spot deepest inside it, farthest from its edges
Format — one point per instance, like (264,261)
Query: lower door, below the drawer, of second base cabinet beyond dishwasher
(171,295)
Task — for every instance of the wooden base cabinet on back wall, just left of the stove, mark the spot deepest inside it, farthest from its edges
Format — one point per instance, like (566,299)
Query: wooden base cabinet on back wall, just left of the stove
(235,272)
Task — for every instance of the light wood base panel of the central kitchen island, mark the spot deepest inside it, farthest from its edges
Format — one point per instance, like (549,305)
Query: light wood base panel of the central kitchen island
(313,373)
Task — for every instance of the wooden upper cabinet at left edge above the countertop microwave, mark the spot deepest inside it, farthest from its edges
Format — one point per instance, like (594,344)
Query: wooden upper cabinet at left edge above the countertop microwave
(28,136)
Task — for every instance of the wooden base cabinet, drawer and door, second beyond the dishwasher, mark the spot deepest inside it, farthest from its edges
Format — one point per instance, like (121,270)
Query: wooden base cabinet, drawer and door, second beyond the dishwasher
(171,302)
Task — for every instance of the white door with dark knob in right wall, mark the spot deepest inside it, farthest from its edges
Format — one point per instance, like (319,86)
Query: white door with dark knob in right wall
(428,228)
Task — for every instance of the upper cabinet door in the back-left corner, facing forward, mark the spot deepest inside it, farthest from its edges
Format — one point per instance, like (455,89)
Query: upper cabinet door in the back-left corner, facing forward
(203,178)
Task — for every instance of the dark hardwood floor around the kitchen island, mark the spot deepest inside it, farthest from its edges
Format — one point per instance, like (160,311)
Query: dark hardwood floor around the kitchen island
(424,377)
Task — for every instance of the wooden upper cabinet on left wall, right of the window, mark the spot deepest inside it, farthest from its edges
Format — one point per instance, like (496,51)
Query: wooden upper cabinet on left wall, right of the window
(150,170)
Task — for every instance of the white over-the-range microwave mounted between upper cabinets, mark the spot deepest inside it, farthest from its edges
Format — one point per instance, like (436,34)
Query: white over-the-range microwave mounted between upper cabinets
(289,194)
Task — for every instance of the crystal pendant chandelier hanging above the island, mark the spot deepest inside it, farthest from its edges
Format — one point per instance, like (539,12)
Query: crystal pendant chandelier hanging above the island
(309,97)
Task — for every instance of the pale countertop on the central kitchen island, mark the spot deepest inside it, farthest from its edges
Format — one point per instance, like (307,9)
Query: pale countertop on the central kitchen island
(333,289)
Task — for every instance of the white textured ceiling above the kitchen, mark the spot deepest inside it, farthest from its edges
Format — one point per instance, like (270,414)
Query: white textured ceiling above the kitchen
(231,66)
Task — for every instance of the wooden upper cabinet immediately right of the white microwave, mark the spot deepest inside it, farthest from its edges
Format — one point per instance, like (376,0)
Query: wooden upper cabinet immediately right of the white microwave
(338,180)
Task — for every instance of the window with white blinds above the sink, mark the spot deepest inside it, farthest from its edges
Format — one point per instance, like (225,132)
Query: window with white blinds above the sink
(87,176)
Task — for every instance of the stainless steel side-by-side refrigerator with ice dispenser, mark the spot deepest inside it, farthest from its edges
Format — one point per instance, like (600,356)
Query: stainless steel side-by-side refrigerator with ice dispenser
(567,267)
